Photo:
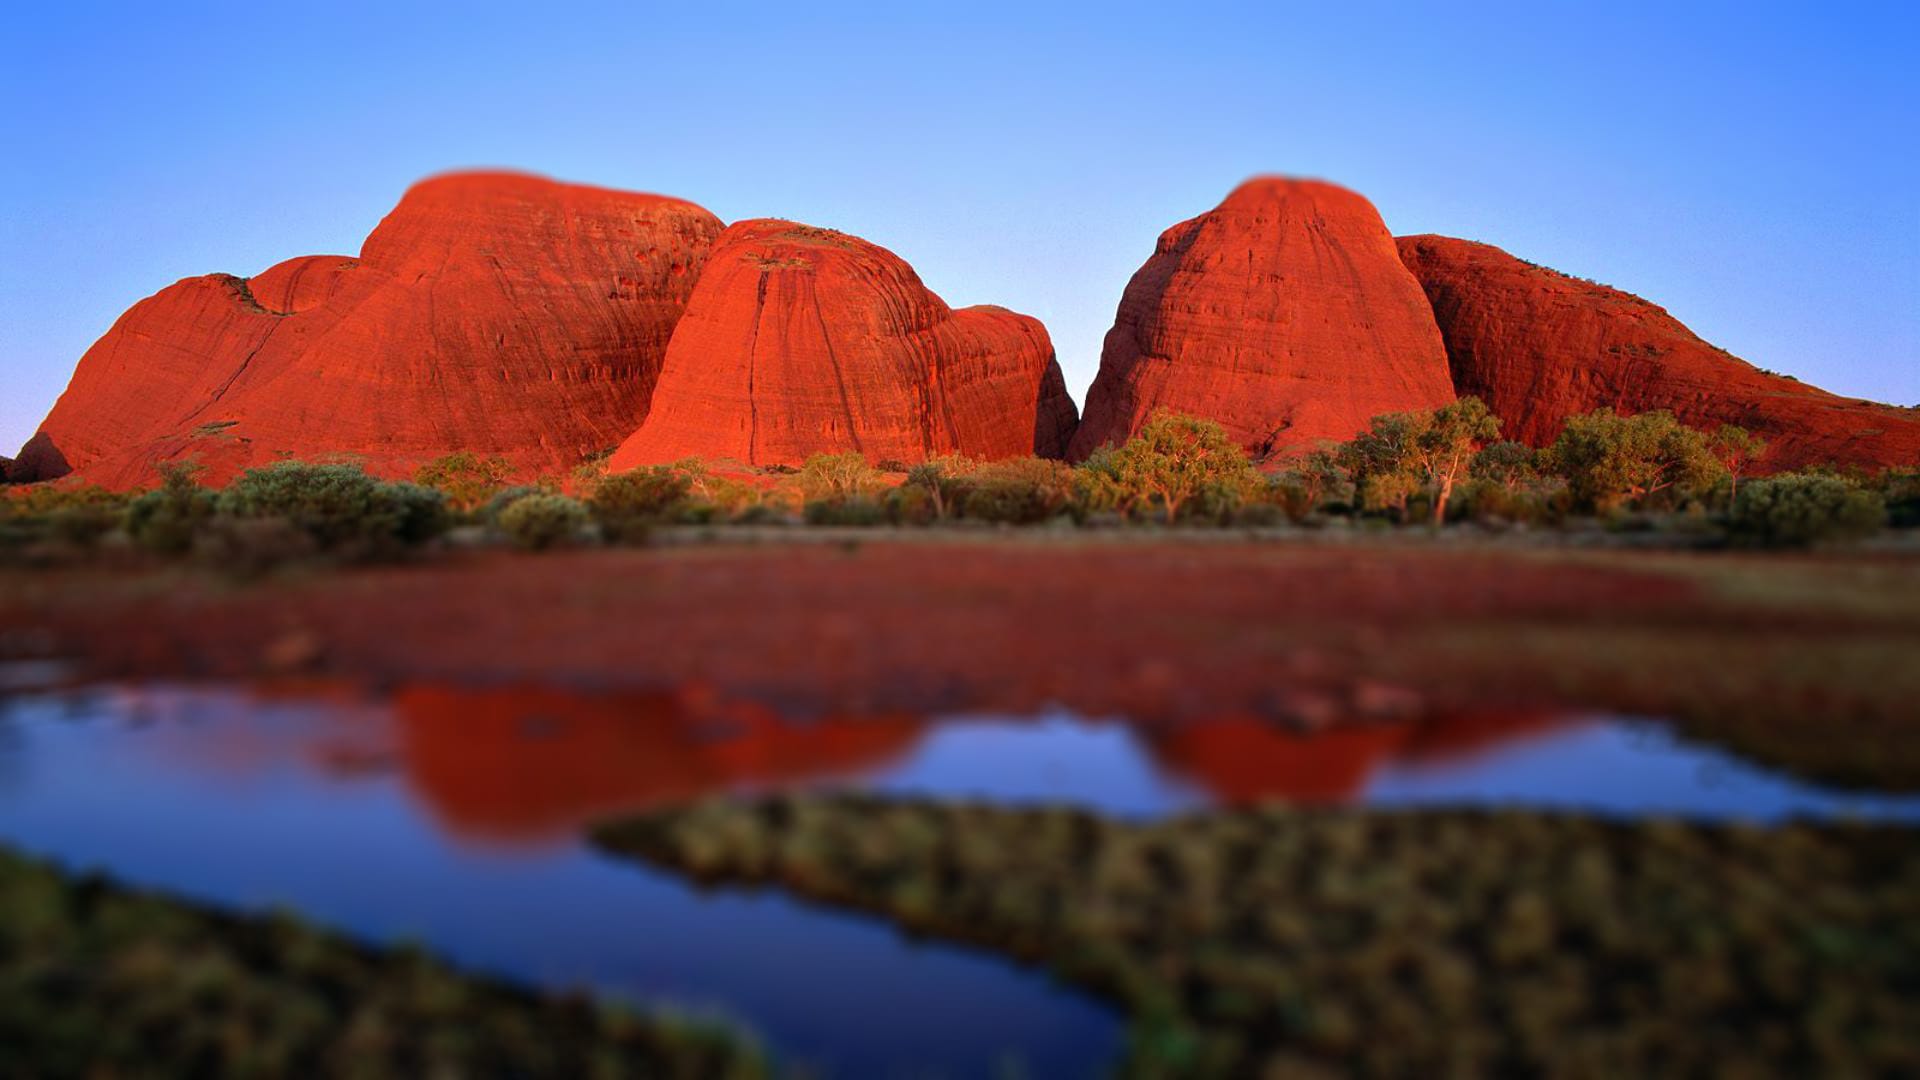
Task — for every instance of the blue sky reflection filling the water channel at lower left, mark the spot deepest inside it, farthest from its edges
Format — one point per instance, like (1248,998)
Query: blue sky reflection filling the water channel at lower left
(264,827)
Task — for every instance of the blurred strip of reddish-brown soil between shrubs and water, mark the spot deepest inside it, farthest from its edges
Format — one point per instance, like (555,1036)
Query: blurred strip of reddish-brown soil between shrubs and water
(1798,660)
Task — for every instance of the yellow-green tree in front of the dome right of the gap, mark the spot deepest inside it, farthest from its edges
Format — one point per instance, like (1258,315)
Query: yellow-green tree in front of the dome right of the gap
(1176,460)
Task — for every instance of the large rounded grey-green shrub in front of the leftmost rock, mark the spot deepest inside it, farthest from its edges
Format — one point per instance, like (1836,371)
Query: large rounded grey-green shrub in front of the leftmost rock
(339,506)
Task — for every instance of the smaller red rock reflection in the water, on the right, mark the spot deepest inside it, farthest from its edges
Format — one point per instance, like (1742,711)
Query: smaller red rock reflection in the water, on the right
(1241,760)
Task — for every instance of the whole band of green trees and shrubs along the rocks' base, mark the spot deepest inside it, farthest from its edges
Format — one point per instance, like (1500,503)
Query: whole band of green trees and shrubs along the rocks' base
(1443,468)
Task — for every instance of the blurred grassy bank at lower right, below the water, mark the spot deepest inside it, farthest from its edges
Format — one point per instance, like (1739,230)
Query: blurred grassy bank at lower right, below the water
(1401,945)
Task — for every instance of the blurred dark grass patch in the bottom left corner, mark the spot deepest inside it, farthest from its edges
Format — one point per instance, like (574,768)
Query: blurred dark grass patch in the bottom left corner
(103,981)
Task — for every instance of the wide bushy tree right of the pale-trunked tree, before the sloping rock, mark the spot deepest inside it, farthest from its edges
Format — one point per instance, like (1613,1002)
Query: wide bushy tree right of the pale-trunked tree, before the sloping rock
(1610,460)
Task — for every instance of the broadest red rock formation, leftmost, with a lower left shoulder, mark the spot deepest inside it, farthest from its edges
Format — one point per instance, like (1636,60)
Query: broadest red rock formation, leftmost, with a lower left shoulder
(496,314)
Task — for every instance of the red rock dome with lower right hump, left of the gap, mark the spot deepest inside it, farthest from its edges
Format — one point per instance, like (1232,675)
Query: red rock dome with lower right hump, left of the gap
(805,341)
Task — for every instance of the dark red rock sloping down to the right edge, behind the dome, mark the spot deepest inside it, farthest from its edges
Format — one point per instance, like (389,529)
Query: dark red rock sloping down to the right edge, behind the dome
(1541,347)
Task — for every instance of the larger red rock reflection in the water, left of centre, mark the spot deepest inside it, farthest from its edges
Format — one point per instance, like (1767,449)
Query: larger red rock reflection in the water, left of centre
(525,764)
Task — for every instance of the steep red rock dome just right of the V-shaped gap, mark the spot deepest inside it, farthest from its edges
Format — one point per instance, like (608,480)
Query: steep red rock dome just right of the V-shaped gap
(1284,314)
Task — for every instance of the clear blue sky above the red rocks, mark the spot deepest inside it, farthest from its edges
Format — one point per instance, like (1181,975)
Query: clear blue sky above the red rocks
(1752,168)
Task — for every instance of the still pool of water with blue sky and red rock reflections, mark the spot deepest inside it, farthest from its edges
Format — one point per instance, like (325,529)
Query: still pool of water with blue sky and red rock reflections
(452,818)
